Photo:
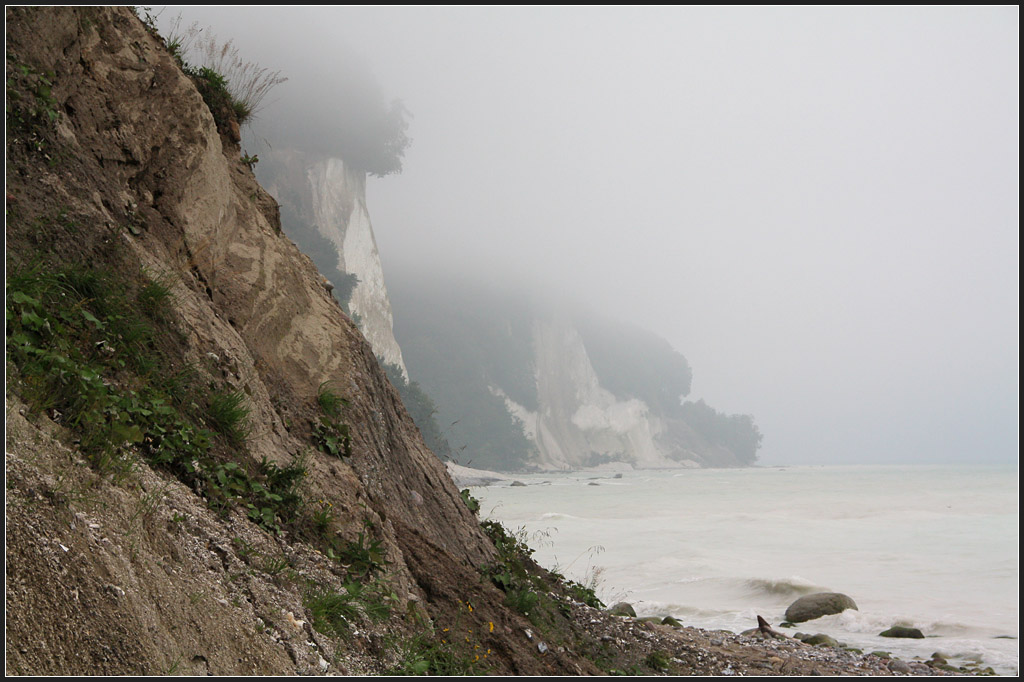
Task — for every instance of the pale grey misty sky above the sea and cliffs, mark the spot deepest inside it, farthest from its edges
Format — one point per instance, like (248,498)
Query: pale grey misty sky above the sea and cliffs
(819,207)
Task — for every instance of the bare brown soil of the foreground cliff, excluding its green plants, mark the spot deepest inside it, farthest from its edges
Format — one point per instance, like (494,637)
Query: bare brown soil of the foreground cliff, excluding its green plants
(137,574)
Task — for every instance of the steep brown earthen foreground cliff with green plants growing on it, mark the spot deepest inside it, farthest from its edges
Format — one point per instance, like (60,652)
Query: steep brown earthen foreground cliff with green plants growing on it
(207,470)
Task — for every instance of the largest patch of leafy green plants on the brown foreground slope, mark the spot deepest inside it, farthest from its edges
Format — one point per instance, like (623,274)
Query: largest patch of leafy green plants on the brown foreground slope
(80,347)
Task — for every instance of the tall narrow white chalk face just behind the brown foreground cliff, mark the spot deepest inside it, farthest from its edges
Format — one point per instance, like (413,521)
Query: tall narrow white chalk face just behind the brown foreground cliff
(331,198)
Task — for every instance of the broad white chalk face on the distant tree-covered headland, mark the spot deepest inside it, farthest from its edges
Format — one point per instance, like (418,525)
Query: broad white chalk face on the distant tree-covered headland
(578,423)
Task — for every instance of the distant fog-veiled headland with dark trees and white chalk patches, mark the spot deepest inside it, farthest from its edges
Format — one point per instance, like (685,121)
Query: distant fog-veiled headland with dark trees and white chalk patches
(524,386)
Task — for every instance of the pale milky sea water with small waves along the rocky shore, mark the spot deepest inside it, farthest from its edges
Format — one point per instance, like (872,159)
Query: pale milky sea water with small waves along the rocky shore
(930,547)
